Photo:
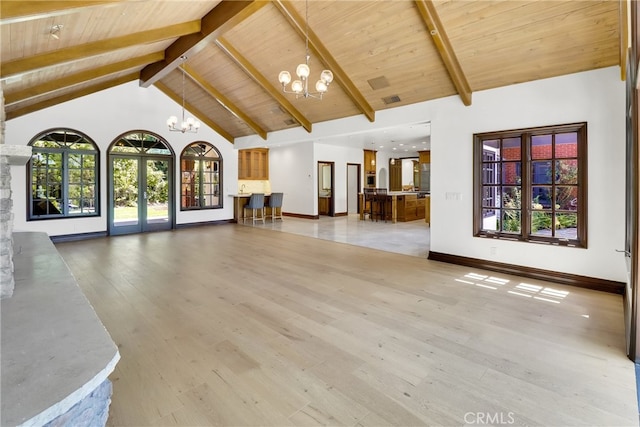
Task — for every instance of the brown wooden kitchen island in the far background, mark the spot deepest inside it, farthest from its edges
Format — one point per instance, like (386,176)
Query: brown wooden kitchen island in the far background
(399,206)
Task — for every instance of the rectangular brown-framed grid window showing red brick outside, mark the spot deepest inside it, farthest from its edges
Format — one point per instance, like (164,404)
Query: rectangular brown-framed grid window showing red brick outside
(530,184)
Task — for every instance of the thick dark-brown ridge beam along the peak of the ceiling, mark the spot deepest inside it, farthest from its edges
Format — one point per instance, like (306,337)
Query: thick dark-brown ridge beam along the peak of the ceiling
(219,20)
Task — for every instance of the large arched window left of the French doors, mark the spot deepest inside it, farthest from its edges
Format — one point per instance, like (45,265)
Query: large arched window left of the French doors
(63,177)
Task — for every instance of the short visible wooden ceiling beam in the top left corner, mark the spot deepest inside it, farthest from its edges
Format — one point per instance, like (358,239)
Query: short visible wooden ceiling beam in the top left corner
(19,10)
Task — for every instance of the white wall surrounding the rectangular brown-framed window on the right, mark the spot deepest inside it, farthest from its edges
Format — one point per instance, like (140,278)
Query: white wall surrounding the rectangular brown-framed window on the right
(597,97)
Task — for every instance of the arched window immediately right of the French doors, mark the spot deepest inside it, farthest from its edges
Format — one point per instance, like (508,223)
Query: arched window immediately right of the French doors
(201,177)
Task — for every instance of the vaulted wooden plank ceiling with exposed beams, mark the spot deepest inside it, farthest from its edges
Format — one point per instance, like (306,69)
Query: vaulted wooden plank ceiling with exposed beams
(383,54)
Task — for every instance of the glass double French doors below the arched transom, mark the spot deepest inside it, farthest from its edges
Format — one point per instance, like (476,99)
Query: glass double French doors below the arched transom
(140,199)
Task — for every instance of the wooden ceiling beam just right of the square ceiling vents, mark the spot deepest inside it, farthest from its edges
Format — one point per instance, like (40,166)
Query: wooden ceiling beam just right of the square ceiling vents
(436,29)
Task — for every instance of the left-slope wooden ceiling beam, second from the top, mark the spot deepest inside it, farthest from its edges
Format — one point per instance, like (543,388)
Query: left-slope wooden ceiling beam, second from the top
(76,53)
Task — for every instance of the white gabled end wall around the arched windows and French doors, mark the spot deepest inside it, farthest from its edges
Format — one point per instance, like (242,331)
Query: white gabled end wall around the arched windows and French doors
(103,116)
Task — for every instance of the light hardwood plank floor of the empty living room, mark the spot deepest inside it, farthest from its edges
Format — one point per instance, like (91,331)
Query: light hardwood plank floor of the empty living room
(233,325)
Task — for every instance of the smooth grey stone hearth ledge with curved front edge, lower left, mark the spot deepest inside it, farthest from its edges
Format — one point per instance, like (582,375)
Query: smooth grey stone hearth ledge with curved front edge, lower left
(54,350)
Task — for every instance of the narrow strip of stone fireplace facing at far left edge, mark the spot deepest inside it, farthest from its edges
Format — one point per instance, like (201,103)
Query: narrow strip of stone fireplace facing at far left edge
(7,282)
